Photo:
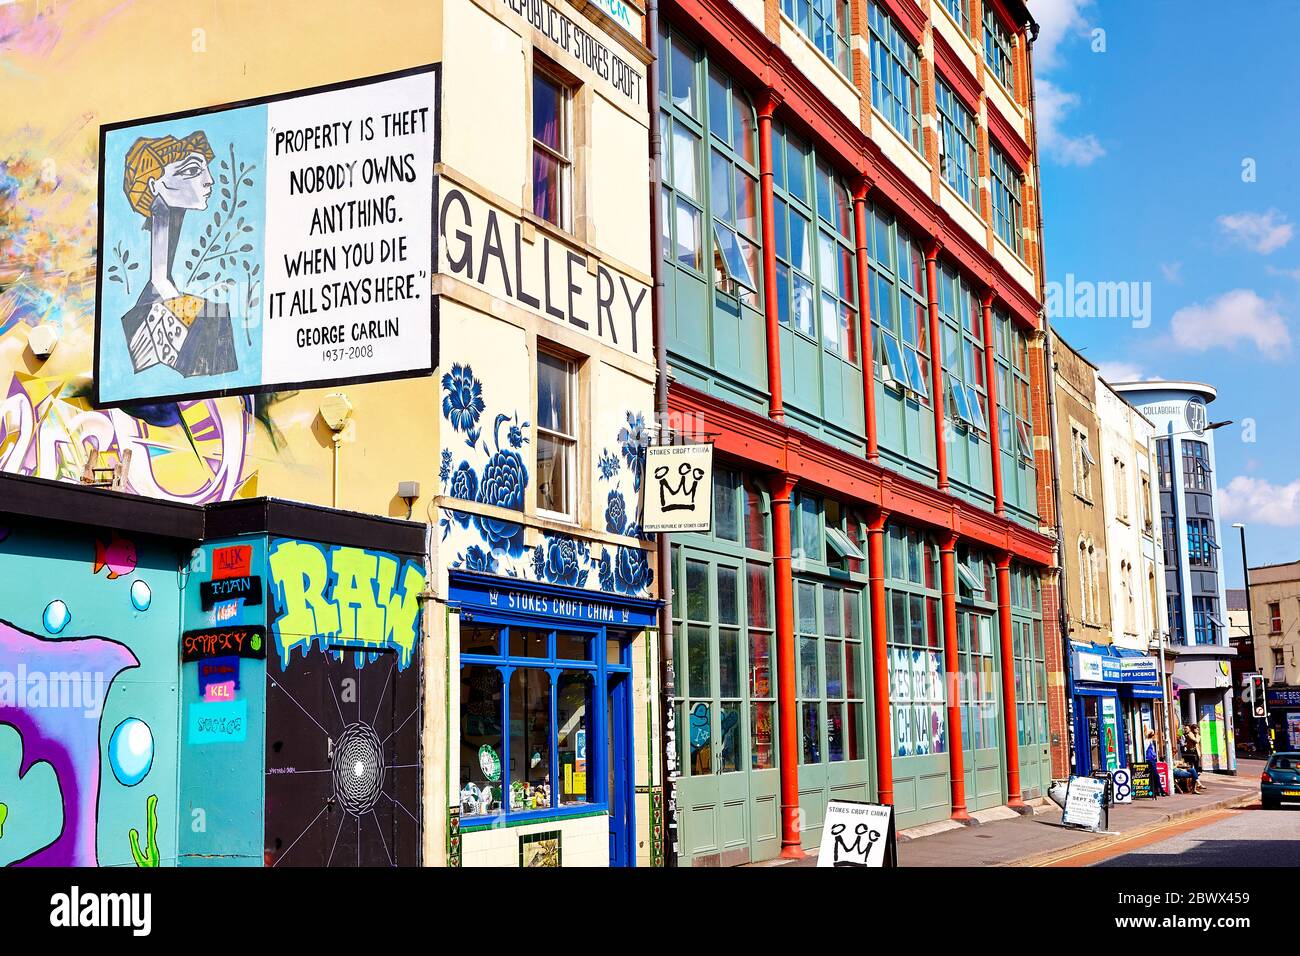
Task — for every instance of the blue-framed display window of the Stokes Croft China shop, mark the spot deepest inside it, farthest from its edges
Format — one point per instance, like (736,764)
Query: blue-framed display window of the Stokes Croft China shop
(528,703)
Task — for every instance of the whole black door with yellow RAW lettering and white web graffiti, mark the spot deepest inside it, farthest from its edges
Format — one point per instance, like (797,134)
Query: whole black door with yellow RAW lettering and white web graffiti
(343,708)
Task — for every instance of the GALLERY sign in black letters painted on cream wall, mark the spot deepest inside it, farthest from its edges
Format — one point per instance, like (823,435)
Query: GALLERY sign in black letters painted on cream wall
(486,246)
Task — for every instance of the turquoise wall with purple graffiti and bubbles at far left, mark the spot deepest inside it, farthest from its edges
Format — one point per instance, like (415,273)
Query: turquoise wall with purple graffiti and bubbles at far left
(88,698)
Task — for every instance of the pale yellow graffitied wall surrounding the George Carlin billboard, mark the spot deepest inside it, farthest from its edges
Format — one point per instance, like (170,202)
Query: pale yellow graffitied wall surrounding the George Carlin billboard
(79,66)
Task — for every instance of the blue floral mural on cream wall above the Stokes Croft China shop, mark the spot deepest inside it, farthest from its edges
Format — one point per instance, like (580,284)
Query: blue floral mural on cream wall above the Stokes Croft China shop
(476,466)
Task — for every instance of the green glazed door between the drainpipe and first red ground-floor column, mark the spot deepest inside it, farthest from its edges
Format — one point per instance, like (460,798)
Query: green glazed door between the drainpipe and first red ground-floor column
(725,667)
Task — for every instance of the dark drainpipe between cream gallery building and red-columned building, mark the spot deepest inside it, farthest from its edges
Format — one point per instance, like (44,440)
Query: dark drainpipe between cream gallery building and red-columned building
(664,552)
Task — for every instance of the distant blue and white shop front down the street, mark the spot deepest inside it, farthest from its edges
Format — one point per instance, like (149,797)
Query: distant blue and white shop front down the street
(1117,699)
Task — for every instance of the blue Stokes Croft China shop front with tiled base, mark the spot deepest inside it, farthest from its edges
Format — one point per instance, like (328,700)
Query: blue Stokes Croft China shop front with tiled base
(549,716)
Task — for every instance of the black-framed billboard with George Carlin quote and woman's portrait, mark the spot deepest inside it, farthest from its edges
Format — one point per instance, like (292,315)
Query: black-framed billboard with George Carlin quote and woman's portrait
(271,244)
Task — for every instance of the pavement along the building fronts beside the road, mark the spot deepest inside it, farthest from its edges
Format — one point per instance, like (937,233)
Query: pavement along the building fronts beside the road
(1038,840)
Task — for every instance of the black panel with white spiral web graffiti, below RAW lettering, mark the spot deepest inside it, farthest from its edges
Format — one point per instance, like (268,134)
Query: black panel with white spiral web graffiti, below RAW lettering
(343,762)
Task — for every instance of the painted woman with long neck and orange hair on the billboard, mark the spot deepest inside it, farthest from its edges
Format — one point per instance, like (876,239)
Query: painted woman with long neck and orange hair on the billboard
(166,179)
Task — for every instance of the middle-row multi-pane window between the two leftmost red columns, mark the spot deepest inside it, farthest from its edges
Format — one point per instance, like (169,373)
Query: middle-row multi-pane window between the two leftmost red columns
(816,267)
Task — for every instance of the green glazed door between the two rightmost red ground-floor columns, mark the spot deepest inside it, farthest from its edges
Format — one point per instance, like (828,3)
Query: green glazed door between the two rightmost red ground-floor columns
(982,711)
